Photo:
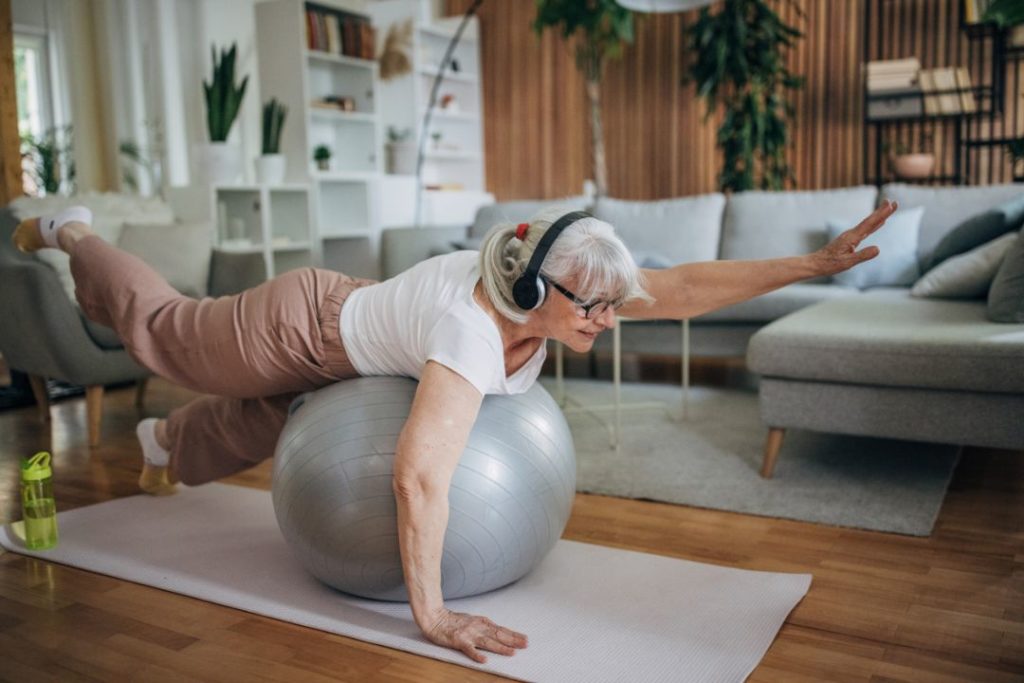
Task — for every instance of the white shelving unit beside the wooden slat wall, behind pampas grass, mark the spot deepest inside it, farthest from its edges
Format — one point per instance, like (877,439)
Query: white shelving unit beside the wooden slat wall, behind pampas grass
(456,160)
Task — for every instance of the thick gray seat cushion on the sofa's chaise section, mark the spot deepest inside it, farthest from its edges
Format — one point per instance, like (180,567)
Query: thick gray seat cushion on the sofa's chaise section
(885,337)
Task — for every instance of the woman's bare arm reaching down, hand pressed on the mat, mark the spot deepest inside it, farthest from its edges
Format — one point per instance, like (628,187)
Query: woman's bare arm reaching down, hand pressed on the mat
(430,448)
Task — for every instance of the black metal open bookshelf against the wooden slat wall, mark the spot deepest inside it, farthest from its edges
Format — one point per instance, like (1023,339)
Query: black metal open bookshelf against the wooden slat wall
(938,106)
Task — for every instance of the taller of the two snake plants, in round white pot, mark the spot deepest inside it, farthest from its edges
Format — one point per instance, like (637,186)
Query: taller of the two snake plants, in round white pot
(223,162)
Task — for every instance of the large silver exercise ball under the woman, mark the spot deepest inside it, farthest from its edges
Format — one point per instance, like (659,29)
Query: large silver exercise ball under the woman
(509,501)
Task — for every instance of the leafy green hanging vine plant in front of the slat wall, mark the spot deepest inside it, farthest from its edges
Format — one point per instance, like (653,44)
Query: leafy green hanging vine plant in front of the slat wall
(740,64)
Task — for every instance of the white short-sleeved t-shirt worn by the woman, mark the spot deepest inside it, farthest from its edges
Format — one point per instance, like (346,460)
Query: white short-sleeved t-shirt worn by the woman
(429,314)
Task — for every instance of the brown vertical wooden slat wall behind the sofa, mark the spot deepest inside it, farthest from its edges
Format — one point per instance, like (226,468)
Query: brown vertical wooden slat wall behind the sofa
(659,145)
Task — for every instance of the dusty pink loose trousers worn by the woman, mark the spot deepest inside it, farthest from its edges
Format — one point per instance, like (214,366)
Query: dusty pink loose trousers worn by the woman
(255,351)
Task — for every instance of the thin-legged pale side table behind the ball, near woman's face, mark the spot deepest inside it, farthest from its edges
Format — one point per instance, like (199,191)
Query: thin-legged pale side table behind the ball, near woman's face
(616,428)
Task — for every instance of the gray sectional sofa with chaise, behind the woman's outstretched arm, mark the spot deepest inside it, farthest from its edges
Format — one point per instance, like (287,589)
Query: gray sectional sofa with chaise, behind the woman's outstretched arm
(831,358)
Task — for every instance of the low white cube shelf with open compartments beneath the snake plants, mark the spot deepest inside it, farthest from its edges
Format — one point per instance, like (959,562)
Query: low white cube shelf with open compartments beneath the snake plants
(274,222)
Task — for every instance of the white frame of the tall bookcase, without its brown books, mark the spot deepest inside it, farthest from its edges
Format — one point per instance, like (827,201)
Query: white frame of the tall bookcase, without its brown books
(344,200)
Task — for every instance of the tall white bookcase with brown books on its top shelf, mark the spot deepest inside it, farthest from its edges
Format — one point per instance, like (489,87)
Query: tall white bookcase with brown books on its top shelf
(318,59)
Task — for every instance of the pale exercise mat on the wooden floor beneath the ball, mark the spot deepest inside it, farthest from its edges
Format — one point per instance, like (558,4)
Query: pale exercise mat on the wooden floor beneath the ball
(592,614)
